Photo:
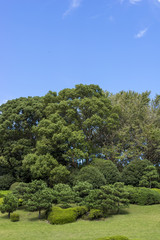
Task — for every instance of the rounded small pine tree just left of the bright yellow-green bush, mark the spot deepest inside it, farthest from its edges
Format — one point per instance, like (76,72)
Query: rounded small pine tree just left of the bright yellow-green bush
(38,196)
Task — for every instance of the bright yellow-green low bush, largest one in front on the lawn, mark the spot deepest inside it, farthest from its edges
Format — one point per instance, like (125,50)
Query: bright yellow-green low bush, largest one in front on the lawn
(62,216)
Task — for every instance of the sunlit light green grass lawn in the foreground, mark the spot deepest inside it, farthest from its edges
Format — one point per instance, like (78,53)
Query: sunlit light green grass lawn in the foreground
(141,222)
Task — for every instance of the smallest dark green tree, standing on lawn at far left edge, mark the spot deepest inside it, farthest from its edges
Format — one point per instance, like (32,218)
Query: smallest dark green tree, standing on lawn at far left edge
(10,204)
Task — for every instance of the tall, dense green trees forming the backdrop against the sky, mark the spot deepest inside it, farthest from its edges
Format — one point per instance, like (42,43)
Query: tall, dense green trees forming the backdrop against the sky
(57,136)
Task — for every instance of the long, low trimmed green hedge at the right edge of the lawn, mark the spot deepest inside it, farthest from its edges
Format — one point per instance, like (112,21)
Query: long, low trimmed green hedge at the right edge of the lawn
(143,196)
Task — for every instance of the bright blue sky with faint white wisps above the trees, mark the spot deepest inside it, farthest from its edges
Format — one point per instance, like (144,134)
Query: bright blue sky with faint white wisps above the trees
(55,44)
